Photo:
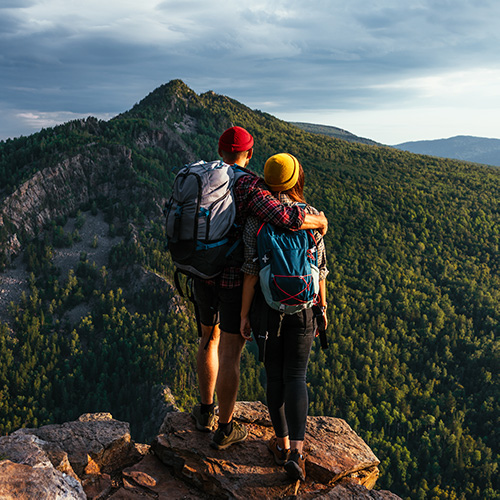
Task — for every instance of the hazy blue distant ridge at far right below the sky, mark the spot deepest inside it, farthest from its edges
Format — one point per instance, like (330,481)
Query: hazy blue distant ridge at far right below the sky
(460,147)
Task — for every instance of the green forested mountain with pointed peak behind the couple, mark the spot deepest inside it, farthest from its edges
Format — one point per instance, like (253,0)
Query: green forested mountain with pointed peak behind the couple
(414,286)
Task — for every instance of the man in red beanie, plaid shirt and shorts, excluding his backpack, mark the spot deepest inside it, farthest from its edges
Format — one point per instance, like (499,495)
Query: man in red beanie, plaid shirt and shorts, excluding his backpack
(219,303)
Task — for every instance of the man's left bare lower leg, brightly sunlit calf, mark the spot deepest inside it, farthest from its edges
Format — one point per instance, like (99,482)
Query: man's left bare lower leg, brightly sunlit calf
(207,362)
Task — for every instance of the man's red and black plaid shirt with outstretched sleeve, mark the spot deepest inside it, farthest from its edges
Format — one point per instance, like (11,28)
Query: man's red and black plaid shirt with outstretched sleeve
(253,197)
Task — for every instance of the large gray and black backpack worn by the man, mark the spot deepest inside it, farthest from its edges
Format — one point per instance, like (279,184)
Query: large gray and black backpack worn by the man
(199,215)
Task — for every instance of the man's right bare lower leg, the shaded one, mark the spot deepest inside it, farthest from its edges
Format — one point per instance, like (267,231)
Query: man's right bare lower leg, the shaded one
(230,348)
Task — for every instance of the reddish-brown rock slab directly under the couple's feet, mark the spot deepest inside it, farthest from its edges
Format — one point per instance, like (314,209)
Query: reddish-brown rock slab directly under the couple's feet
(247,469)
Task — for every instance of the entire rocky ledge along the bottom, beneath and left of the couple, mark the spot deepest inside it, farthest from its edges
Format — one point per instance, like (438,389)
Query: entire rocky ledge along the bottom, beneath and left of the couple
(94,457)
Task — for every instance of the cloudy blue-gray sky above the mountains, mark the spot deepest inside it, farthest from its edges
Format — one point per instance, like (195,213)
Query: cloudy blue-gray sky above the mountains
(388,70)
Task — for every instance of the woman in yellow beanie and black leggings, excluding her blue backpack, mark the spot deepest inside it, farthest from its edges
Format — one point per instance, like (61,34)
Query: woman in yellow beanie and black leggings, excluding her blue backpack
(290,336)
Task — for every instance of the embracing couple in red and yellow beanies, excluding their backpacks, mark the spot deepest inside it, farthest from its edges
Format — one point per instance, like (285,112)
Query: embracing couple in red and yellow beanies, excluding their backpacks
(224,311)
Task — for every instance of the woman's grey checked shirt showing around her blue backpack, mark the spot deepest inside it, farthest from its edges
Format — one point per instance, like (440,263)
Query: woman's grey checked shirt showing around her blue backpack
(251,264)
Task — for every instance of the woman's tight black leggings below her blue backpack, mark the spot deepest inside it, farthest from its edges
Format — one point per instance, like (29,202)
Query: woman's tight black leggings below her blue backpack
(286,362)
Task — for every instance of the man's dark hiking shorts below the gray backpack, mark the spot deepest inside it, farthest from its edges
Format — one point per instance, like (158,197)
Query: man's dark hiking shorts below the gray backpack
(218,305)
